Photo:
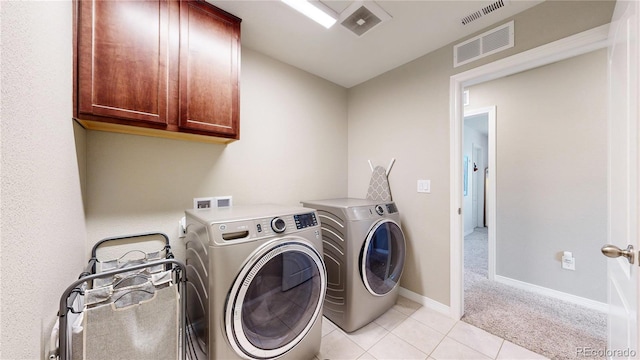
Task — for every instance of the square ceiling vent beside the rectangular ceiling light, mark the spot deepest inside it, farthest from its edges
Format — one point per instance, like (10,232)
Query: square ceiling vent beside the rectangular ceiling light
(362,16)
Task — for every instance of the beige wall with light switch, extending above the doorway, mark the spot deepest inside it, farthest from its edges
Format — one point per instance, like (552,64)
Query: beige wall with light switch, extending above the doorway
(404,114)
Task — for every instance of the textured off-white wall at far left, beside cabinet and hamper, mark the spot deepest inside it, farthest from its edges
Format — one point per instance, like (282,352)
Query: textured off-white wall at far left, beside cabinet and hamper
(43,227)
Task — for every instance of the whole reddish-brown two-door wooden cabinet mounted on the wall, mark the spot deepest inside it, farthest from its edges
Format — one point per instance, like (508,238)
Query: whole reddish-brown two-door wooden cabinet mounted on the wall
(157,67)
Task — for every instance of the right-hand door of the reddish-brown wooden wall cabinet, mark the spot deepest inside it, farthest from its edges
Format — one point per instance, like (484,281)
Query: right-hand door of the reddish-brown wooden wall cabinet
(209,66)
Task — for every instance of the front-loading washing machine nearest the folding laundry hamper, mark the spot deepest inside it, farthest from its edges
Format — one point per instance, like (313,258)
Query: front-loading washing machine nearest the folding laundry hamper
(256,282)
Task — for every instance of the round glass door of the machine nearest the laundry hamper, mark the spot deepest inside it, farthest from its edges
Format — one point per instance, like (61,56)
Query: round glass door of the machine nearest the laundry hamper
(276,299)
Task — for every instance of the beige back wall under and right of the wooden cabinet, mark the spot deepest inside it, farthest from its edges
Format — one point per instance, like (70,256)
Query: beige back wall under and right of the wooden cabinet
(293,141)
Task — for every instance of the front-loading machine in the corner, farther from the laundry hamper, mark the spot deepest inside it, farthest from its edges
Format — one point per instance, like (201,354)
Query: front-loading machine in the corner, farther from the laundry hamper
(364,252)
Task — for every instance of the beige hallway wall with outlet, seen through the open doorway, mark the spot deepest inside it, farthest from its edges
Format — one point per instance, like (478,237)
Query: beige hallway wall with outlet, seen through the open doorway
(551,173)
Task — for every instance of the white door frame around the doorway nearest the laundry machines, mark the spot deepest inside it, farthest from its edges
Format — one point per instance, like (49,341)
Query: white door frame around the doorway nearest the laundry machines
(578,44)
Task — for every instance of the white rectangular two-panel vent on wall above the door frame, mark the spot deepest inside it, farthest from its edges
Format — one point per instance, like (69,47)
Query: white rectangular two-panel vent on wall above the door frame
(490,42)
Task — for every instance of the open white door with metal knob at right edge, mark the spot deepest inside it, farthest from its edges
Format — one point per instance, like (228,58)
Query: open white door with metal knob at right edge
(623,181)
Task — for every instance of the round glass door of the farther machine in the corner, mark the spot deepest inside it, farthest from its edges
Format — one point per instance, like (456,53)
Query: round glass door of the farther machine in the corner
(382,257)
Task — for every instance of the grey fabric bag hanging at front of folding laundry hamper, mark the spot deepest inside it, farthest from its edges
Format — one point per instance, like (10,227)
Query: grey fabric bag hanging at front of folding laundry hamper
(135,322)
